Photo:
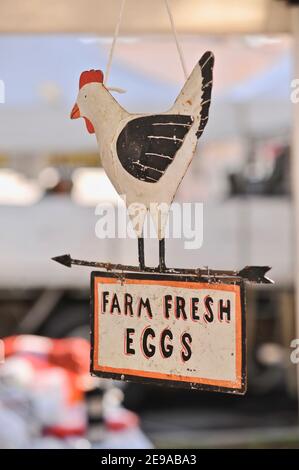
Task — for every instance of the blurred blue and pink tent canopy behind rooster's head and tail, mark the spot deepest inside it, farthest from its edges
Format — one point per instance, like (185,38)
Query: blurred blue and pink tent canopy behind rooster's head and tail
(41,77)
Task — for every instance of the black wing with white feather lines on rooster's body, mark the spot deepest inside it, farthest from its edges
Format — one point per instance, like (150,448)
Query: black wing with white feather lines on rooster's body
(147,145)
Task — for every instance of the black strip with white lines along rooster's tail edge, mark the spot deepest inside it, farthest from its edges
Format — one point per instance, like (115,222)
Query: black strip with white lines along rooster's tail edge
(206,64)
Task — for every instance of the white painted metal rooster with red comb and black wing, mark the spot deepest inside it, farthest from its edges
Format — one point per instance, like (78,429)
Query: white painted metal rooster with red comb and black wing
(147,155)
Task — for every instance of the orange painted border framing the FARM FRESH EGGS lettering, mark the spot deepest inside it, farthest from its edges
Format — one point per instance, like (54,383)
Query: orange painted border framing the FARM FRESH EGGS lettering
(110,278)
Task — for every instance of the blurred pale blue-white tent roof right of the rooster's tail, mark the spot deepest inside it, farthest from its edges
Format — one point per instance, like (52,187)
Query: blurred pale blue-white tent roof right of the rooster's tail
(257,107)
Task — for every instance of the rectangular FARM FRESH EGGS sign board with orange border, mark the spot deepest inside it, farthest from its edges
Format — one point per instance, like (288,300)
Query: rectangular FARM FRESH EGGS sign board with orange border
(169,329)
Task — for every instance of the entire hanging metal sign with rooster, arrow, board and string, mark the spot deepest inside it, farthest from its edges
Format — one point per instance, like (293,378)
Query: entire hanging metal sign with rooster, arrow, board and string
(178,327)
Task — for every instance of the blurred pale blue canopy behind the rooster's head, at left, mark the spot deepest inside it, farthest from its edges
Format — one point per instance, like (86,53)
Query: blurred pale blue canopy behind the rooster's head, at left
(41,76)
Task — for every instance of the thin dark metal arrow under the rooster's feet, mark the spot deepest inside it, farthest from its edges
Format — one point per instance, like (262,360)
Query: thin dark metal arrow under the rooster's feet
(254,274)
